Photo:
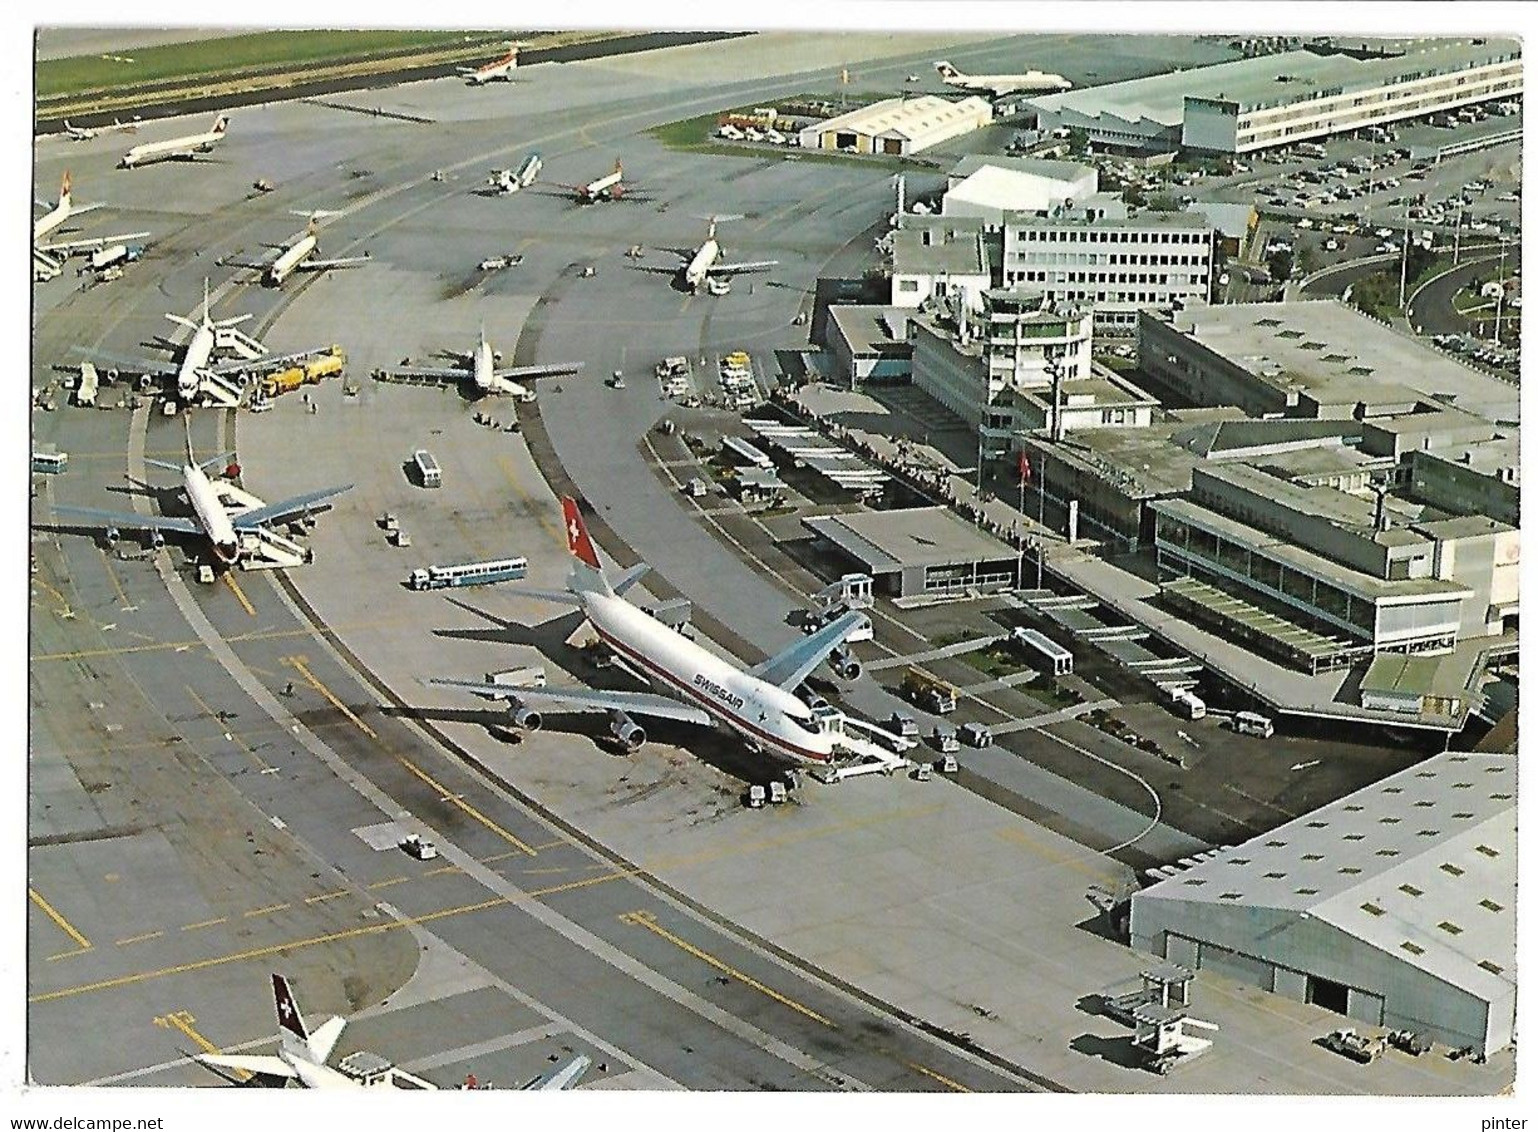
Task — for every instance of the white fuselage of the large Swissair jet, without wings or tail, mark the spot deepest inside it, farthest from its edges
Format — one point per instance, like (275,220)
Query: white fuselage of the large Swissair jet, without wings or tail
(762,713)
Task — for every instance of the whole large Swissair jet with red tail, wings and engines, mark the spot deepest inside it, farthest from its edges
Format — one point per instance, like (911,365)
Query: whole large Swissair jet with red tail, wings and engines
(694,685)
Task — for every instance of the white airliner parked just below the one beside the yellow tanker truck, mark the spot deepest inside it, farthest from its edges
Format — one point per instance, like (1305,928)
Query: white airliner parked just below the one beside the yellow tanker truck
(222,513)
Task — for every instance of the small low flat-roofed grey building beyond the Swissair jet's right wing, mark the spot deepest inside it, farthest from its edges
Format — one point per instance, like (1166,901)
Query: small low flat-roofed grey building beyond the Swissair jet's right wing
(919,551)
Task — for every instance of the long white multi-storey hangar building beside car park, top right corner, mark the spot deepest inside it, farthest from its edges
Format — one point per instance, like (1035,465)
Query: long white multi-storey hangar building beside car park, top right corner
(1276,101)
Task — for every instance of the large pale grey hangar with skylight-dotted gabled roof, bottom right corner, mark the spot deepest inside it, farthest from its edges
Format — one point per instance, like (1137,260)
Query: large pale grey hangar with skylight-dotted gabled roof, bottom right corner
(1396,905)
